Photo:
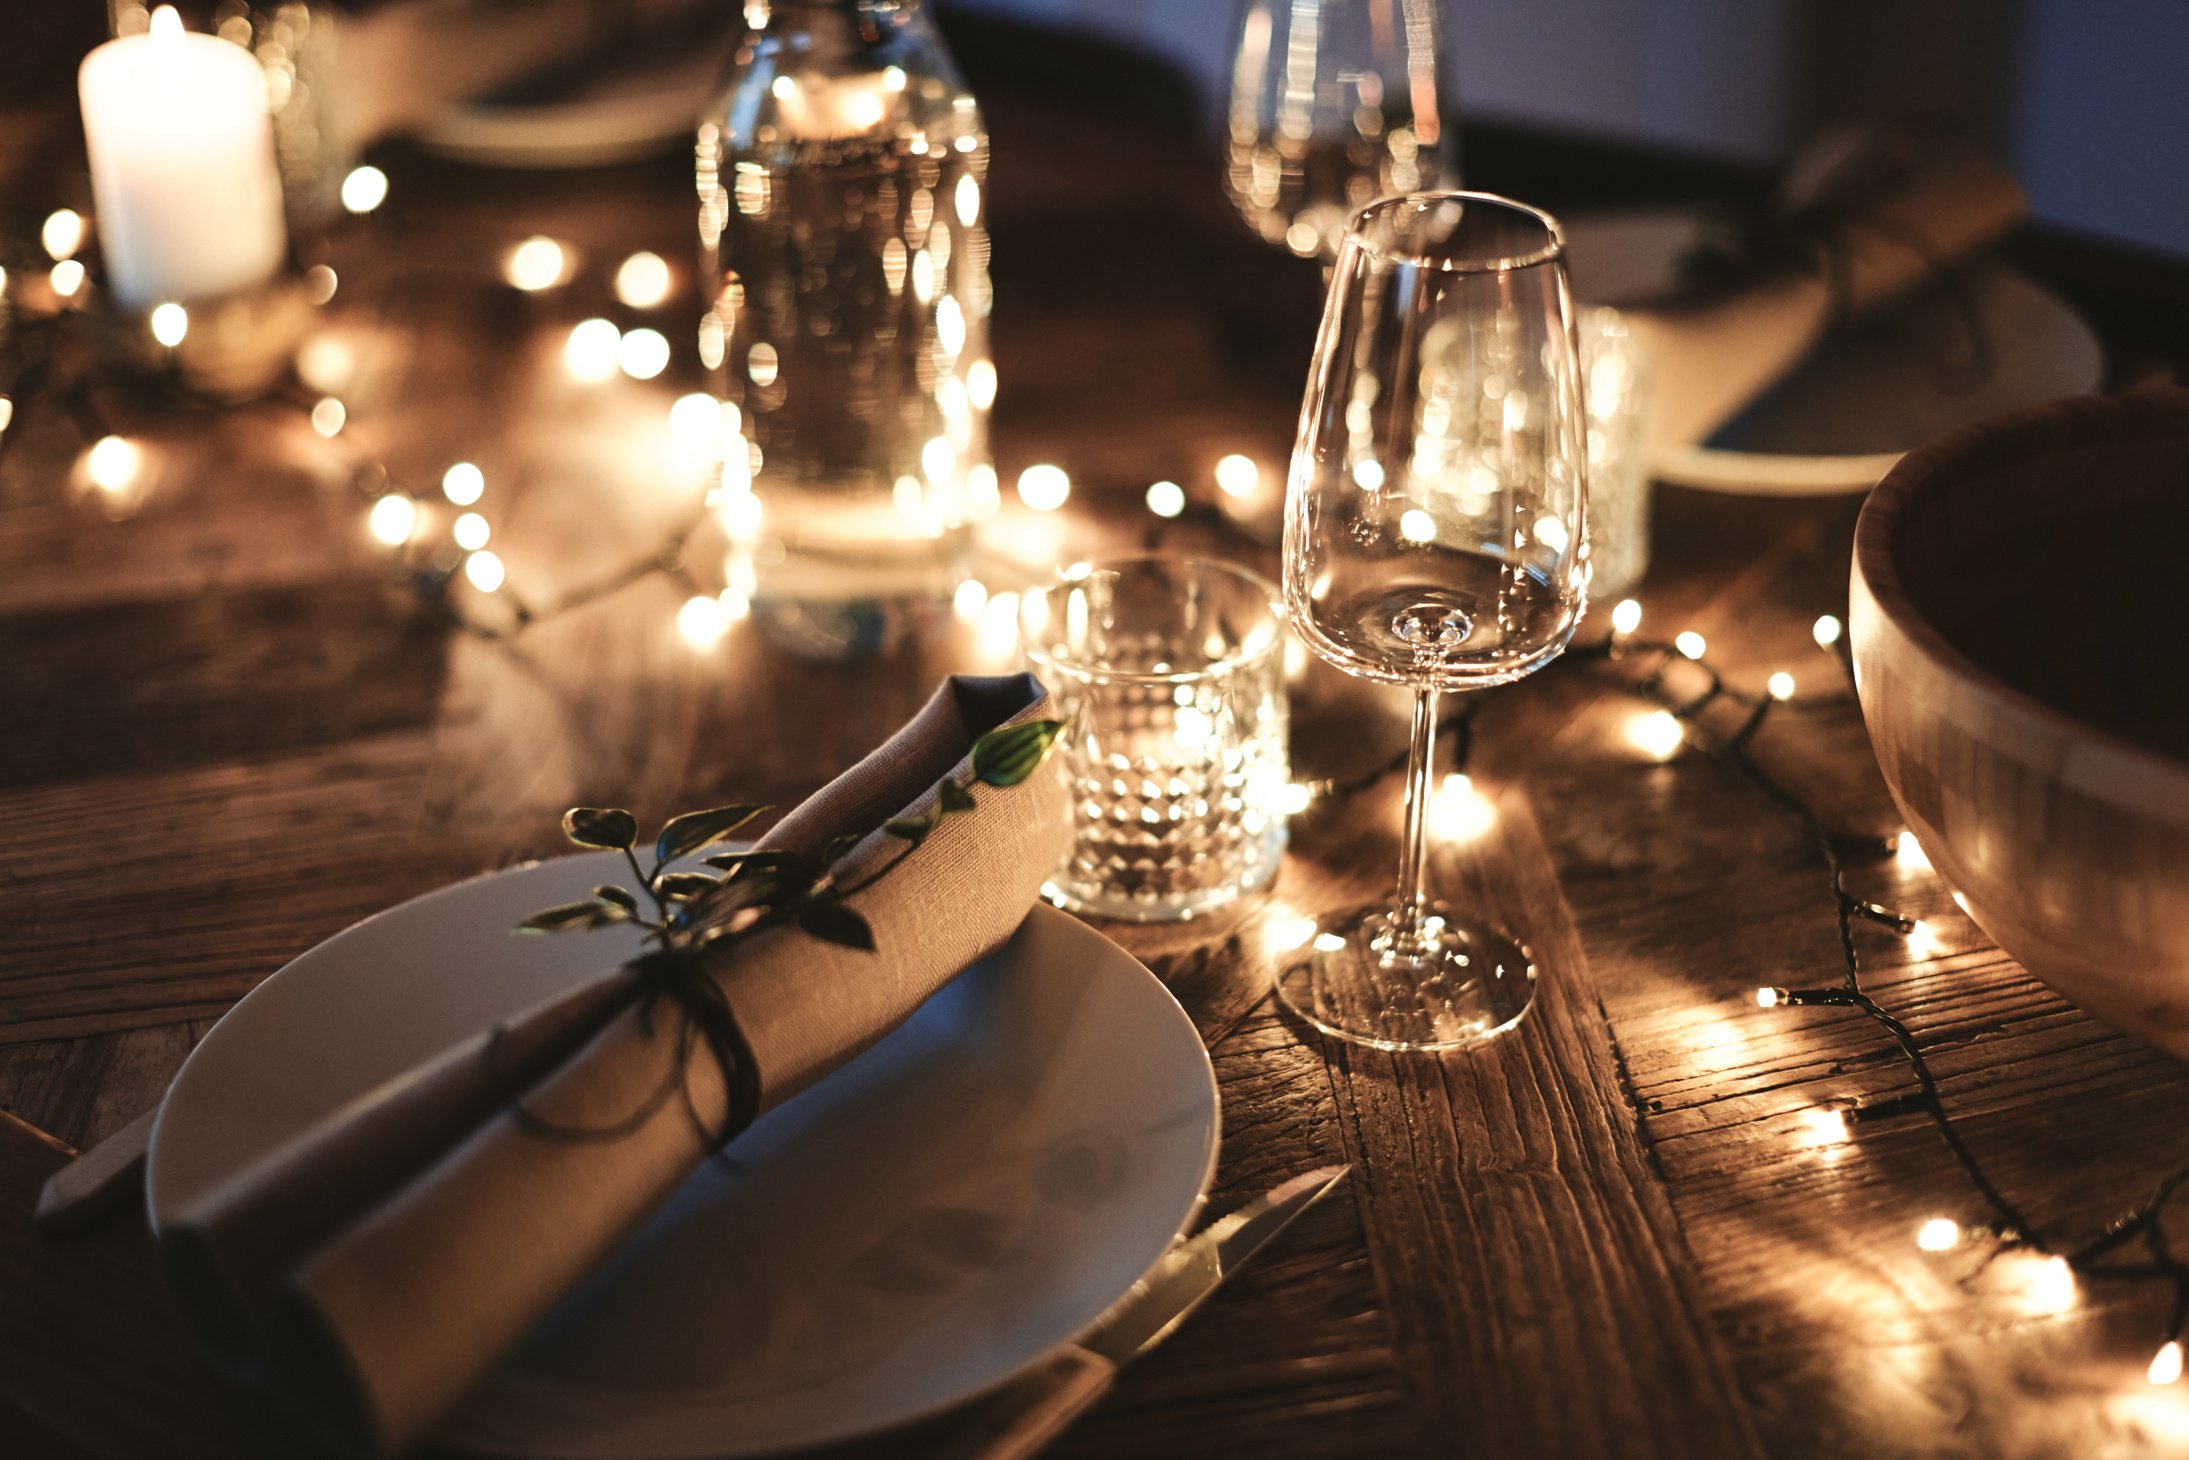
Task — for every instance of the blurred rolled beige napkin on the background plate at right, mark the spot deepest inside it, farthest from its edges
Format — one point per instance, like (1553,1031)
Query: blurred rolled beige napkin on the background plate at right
(1906,213)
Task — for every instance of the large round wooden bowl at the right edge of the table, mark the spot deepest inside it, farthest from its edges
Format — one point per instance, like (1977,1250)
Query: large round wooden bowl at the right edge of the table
(2022,651)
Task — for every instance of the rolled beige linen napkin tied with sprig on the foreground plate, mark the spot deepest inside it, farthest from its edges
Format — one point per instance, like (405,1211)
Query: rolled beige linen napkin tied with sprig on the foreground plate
(384,1260)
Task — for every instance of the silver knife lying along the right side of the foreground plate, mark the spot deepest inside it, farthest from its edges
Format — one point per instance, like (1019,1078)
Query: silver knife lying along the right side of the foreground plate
(1032,1411)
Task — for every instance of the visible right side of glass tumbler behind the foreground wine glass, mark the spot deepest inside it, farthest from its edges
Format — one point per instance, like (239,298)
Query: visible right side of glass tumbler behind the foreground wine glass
(1617,384)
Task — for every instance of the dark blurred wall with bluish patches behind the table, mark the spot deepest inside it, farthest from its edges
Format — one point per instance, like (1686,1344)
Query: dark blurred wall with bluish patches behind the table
(2089,100)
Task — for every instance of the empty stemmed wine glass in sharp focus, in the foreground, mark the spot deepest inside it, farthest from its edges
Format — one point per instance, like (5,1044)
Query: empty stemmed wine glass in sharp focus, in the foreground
(1435,537)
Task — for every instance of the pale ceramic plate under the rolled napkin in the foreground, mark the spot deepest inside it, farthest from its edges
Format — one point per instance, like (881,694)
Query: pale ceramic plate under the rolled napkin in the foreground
(940,1214)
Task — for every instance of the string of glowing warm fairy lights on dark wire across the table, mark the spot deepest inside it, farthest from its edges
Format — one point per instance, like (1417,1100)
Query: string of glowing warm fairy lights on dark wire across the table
(445,535)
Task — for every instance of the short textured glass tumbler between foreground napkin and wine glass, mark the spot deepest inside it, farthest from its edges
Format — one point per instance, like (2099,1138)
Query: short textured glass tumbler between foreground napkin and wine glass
(1170,675)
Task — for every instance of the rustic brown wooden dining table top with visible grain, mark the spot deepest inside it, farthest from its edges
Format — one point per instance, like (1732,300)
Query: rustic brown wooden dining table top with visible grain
(231,726)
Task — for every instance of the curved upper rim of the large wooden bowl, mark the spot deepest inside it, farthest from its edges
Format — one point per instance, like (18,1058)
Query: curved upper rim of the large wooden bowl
(2039,430)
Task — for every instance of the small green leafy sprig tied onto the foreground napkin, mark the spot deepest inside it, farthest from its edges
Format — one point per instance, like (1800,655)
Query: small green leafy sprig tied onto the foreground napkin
(765,888)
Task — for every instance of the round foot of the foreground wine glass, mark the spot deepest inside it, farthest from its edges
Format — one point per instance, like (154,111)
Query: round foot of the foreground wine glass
(1452,986)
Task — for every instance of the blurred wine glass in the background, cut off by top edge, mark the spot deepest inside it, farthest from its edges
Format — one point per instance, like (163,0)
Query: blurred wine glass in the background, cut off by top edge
(1334,106)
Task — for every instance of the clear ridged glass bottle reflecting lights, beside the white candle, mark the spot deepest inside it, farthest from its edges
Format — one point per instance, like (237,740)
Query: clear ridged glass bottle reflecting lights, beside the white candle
(844,237)
